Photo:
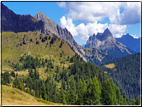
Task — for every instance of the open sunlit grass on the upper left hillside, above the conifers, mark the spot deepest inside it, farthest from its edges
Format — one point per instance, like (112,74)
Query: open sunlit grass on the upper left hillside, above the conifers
(12,50)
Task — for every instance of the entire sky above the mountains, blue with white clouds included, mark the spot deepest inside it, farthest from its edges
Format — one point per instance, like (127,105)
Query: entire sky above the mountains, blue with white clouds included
(83,19)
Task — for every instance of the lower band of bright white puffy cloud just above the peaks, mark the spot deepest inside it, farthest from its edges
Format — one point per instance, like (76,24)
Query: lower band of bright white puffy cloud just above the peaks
(84,31)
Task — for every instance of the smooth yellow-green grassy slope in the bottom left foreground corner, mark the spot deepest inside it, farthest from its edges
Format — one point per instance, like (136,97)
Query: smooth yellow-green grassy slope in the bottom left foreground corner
(13,96)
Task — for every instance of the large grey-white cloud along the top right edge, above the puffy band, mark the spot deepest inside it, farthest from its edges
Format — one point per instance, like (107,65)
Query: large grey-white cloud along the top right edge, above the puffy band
(97,11)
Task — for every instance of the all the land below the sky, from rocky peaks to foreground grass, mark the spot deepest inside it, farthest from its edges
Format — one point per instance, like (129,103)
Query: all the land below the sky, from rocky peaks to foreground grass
(42,62)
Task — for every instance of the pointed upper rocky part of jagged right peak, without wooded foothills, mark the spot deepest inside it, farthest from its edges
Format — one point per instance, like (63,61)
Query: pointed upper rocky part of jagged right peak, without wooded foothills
(107,43)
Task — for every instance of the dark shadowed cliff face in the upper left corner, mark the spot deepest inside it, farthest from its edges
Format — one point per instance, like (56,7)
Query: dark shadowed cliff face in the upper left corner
(19,23)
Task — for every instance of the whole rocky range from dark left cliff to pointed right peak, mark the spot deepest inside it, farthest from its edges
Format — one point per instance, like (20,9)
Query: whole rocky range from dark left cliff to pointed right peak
(104,47)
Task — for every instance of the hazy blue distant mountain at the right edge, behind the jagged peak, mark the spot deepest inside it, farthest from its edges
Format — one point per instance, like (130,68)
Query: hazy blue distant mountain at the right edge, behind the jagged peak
(131,42)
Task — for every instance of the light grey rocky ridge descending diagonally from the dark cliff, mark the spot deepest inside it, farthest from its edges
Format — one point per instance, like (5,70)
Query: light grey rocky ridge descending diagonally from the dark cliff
(51,27)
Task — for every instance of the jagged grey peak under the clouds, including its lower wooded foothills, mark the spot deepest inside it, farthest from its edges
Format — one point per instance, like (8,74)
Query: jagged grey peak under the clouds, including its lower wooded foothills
(105,48)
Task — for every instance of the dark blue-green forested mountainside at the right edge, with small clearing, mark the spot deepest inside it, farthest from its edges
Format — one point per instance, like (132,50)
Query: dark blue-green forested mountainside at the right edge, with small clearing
(126,74)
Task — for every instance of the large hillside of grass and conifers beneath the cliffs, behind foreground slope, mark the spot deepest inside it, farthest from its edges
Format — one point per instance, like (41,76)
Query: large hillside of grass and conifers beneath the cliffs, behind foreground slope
(46,67)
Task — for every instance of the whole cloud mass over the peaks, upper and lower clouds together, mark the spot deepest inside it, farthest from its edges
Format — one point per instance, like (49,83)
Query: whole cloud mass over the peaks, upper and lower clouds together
(119,14)
